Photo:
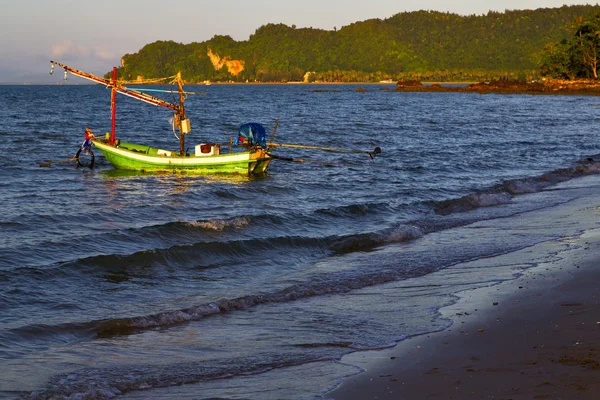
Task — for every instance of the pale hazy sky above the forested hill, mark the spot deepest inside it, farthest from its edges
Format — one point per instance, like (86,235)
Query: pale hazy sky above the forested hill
(93,35)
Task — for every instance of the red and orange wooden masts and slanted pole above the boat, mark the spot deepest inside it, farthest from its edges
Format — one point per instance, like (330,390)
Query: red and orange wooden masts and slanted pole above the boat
(181,122)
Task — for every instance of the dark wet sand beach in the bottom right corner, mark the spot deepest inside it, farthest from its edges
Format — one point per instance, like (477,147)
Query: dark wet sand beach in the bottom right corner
(535,337)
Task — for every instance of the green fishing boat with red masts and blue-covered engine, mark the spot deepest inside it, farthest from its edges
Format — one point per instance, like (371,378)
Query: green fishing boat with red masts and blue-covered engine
(252,159)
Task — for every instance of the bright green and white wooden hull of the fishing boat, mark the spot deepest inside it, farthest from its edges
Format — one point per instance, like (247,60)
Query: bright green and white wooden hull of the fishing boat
(134,157)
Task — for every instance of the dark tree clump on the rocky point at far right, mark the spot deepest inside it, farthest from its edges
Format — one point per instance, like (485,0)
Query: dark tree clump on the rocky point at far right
(577,56)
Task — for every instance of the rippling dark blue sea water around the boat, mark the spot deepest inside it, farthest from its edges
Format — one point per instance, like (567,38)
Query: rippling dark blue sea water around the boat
(129,285)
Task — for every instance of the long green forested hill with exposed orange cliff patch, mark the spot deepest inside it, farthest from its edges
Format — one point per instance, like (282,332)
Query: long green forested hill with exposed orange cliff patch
(423,45)
